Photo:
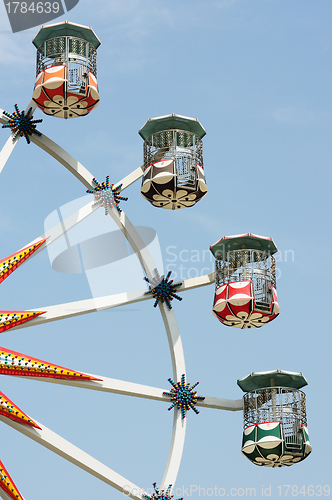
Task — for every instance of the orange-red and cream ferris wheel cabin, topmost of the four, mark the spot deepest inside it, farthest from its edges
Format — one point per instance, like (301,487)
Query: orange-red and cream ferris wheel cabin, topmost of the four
(66,84)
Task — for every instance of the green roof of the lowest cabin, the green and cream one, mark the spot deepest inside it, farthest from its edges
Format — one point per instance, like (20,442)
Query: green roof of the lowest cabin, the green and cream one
(276,378)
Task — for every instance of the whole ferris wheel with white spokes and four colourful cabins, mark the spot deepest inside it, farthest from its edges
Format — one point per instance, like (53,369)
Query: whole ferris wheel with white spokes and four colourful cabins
(275,427)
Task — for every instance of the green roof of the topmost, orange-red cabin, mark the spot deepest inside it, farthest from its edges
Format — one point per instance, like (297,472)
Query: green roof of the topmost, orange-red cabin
(66,29)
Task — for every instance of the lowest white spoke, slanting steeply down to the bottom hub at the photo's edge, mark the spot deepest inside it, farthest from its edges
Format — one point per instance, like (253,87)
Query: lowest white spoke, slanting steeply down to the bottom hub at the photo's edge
(75,455)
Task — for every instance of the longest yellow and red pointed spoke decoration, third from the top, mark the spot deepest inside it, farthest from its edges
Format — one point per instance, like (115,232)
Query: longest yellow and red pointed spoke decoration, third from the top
(16,363)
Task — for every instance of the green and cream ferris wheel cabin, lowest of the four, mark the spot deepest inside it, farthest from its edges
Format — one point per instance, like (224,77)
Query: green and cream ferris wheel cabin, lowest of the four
(275,430)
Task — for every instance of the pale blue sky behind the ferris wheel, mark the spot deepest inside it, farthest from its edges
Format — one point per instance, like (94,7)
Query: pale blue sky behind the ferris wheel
(257,74)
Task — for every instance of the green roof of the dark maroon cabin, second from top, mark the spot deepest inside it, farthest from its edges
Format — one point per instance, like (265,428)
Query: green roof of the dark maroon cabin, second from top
(173,121)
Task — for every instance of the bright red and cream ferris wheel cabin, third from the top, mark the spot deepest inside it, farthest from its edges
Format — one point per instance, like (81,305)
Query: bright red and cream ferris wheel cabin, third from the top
(245,281)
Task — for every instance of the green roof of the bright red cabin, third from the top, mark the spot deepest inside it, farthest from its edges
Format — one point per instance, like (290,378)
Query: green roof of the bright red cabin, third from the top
(243,241)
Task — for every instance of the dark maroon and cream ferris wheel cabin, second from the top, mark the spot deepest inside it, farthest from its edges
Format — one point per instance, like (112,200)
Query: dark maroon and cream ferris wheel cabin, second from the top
(173,175)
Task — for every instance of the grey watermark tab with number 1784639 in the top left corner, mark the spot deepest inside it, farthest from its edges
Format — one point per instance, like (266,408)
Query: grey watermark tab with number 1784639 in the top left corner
(25,15)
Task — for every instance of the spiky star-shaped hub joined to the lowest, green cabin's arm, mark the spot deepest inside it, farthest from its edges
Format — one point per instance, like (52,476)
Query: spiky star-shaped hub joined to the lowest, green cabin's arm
(183,396)
